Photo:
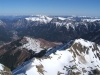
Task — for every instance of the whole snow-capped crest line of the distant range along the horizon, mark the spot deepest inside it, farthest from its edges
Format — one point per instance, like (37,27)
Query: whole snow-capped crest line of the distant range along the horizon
(68,22)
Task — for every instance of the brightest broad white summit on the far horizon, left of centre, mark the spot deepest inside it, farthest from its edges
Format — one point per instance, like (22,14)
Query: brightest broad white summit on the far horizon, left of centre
(40,18)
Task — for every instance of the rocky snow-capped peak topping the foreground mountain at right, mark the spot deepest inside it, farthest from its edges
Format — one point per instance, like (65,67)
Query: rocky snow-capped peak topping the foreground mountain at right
(83,46)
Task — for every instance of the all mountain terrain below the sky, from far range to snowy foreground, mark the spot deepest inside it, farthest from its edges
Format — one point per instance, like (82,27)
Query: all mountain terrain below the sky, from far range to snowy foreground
(50,45)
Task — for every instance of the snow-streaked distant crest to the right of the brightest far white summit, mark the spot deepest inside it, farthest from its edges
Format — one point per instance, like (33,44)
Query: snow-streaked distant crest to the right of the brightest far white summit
(74,21)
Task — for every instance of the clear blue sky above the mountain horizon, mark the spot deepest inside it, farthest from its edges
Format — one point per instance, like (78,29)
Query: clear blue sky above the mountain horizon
(50,7)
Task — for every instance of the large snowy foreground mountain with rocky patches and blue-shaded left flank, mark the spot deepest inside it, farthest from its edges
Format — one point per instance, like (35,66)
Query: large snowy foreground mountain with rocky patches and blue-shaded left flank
(82,57)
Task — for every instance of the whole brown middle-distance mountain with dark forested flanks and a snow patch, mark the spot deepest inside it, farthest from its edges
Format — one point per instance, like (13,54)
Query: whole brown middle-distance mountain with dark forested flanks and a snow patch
(15,53)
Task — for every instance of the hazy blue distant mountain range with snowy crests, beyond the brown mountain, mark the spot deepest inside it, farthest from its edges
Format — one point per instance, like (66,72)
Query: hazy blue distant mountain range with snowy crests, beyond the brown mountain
(56,29)
